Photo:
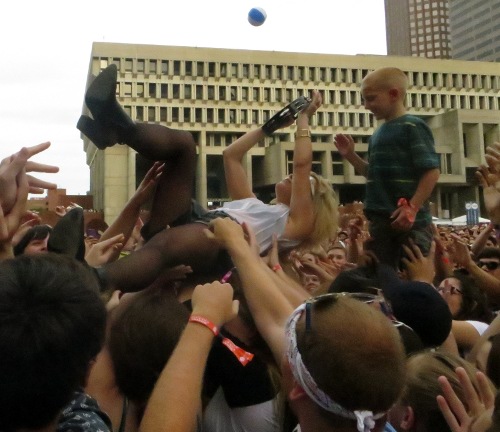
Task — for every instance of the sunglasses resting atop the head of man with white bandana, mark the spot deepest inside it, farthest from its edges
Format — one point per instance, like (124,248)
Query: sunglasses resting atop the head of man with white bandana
(375,298)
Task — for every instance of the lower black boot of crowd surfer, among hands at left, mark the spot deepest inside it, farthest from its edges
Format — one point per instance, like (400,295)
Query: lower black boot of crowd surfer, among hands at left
(67,236)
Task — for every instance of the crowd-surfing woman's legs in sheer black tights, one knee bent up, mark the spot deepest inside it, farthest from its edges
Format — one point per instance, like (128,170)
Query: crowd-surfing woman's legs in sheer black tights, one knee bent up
(184,244)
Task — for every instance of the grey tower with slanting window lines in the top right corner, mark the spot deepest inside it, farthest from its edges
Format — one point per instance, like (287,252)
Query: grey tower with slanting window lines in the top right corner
(475,29)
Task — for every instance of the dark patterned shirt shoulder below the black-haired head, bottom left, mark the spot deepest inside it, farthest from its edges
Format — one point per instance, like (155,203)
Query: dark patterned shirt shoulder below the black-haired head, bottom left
(82,414)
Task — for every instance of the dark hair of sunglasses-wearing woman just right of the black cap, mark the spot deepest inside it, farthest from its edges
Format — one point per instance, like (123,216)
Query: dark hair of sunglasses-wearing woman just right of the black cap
(474,301)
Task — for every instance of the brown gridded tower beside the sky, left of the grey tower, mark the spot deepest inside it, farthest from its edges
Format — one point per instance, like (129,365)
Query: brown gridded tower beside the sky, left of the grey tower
(418,28)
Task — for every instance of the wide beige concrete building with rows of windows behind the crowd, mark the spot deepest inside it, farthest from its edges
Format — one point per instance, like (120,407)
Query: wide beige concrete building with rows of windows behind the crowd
(219,94)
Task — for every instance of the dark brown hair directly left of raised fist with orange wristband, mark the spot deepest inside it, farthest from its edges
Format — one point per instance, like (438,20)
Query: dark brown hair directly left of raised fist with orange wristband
(142,337)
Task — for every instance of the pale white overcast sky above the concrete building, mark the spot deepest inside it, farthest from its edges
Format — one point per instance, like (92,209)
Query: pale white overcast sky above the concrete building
(46,48)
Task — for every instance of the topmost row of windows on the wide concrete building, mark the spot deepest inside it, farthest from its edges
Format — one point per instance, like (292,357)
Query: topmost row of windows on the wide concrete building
(326,75)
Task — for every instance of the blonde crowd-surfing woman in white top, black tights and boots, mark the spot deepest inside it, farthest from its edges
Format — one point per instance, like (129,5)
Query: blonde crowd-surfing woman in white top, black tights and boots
(305,208)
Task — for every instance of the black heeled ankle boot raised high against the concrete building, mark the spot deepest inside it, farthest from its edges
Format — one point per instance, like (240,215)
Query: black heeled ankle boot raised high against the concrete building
(100,98)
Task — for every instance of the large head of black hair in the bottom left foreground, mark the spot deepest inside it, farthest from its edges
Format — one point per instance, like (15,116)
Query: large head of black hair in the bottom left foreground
(52,324)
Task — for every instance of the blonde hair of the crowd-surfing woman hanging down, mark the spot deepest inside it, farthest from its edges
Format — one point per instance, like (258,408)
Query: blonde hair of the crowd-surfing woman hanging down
(326,213)
